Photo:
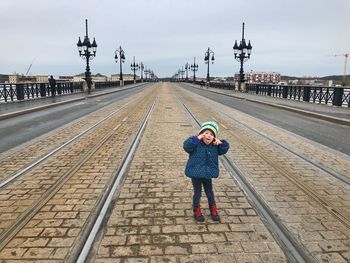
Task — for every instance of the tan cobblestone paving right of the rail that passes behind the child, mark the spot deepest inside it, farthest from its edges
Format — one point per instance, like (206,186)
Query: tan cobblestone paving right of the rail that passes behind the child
(306,199)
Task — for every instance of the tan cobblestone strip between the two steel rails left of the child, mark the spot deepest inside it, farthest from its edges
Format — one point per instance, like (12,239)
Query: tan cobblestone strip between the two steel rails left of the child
(54,231)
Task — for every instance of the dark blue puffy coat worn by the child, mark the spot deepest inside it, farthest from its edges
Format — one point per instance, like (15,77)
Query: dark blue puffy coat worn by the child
(203,159)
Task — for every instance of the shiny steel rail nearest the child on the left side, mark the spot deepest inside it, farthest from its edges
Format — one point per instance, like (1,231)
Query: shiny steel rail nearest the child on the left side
(108,197)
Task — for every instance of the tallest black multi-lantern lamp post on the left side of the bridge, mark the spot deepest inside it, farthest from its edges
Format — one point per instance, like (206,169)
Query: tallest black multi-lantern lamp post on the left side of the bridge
(87,51)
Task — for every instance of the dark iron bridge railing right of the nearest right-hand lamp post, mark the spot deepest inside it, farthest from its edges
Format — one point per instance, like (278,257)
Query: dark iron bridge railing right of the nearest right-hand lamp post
(336,96)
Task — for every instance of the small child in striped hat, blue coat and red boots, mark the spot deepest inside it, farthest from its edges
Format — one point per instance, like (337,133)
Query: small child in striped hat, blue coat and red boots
(203,165)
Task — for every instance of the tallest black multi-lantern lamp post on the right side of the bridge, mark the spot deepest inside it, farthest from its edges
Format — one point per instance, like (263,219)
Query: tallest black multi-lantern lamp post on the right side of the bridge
(242,54)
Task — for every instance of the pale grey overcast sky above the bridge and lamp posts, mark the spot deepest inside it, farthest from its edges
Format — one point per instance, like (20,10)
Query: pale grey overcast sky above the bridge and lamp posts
(290,37)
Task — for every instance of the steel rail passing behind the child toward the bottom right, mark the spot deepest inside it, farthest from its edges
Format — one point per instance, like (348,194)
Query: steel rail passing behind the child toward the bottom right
(290,246)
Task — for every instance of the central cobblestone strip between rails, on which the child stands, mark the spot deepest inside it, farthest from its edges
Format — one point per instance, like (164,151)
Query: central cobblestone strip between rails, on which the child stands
(152,220)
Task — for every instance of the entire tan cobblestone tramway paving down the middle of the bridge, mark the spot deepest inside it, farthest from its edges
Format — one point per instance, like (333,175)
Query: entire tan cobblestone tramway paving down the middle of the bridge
(151,219)
